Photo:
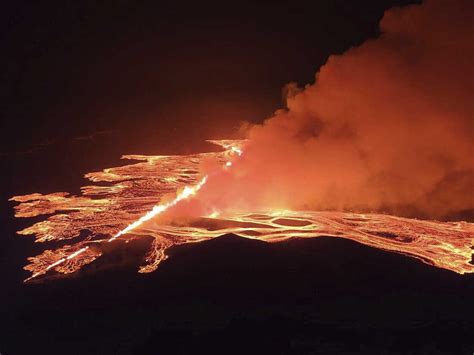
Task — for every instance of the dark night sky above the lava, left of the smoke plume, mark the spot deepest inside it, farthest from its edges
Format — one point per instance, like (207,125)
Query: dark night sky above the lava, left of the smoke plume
(162,74)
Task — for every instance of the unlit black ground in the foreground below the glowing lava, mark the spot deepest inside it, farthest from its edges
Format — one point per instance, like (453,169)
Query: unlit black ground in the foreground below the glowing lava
(232,295)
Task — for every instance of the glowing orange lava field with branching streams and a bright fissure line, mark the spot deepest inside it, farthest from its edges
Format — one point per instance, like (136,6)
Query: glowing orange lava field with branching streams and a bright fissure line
(139,192)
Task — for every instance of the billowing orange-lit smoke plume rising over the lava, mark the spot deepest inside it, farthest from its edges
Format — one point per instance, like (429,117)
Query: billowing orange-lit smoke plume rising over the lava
(387,126)
